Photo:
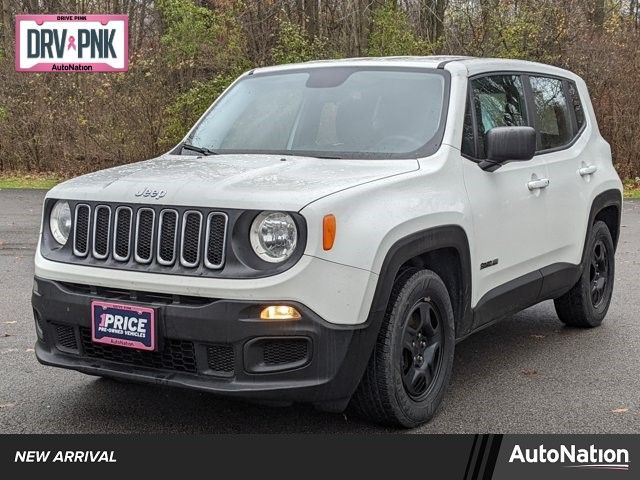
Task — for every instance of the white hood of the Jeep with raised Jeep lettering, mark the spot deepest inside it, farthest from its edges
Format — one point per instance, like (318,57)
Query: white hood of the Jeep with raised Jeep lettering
(261,182)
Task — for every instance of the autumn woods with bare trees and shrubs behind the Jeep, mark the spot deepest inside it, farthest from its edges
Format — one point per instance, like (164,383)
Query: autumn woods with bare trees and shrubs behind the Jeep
(184,52)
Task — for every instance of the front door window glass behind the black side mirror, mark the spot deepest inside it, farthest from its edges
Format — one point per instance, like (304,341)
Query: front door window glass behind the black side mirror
(498,102)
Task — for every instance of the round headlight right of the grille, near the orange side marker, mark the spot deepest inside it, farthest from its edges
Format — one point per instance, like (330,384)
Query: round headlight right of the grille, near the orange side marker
(273,236)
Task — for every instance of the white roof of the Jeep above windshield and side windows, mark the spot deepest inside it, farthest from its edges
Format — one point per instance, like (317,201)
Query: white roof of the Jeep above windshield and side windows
(473,65)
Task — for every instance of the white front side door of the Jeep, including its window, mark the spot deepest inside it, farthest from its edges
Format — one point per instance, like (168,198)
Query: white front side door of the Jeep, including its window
(510,234)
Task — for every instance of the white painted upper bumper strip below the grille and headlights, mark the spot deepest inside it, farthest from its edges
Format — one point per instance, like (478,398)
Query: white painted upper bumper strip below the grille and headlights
(338,293)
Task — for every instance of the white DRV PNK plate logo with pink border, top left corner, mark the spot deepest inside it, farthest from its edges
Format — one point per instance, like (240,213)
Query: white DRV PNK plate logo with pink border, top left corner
(72,43)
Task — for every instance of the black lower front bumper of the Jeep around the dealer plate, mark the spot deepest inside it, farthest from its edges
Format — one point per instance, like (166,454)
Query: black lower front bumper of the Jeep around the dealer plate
(214,345)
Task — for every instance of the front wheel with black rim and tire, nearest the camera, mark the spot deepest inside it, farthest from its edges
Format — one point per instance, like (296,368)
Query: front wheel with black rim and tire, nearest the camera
(410,366)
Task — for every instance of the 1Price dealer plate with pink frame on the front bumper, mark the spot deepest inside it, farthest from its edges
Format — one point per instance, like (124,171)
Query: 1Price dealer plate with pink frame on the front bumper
(123,325)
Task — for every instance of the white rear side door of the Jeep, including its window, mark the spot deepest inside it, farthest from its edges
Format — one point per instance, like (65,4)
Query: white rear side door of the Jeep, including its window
(559,121)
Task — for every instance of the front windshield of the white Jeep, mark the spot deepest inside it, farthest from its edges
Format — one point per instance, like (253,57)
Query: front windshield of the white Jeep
(332,112)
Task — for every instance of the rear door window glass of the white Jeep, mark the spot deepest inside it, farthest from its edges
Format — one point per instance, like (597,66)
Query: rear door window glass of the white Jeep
(552,115)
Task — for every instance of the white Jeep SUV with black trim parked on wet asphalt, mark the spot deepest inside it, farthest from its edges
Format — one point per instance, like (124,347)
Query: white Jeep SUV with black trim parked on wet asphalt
(328,231)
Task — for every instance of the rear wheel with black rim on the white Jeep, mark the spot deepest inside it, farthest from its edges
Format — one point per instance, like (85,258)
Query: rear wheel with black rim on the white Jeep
(587,303)
